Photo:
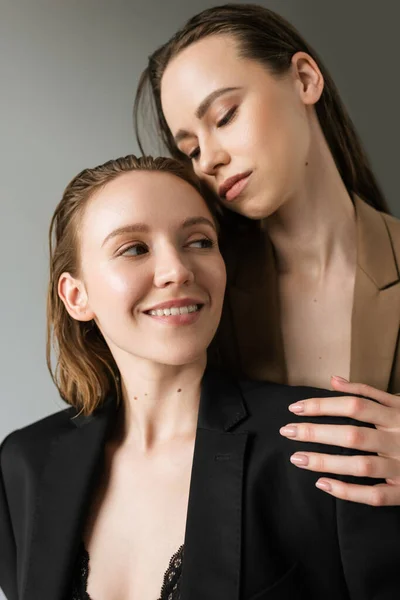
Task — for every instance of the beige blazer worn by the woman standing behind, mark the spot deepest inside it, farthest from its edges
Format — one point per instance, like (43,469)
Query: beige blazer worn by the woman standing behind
(249,338)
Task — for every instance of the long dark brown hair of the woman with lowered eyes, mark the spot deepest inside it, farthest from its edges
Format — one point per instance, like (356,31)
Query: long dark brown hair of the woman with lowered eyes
(268,38)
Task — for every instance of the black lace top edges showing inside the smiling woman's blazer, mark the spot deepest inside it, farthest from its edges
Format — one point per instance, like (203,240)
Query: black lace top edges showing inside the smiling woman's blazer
(170,589)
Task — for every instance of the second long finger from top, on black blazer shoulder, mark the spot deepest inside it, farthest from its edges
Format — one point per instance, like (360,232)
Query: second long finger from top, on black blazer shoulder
(346,436)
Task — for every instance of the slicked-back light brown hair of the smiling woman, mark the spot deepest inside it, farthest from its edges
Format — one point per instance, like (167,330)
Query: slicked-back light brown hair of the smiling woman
(85,371)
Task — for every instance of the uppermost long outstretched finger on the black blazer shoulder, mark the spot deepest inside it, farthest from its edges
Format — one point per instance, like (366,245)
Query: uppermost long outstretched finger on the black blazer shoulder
(353,407)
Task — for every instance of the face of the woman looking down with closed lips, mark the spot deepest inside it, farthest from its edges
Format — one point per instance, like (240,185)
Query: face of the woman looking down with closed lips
(247,131)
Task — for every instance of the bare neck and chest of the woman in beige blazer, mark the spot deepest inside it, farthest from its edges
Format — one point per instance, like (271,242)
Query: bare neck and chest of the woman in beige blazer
(314,240)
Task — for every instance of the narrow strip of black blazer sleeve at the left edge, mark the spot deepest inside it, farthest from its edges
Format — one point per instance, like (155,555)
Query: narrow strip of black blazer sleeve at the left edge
(8,581)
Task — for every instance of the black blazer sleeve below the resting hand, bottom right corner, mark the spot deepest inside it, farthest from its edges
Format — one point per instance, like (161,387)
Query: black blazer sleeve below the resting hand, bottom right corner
(369,540)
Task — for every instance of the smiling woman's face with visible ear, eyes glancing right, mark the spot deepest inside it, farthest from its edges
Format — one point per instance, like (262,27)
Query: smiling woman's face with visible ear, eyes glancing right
(151,275)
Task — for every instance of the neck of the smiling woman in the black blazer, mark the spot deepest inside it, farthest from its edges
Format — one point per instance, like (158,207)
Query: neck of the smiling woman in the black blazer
(160,402)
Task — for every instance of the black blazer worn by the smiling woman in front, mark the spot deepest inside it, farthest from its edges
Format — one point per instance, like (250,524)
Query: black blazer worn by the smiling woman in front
(257,528)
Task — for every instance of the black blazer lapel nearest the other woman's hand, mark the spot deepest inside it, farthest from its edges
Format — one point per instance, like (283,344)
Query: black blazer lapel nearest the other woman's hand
(212,561)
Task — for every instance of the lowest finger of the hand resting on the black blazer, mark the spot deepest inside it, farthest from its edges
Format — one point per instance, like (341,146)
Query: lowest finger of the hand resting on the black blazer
(381,494)
